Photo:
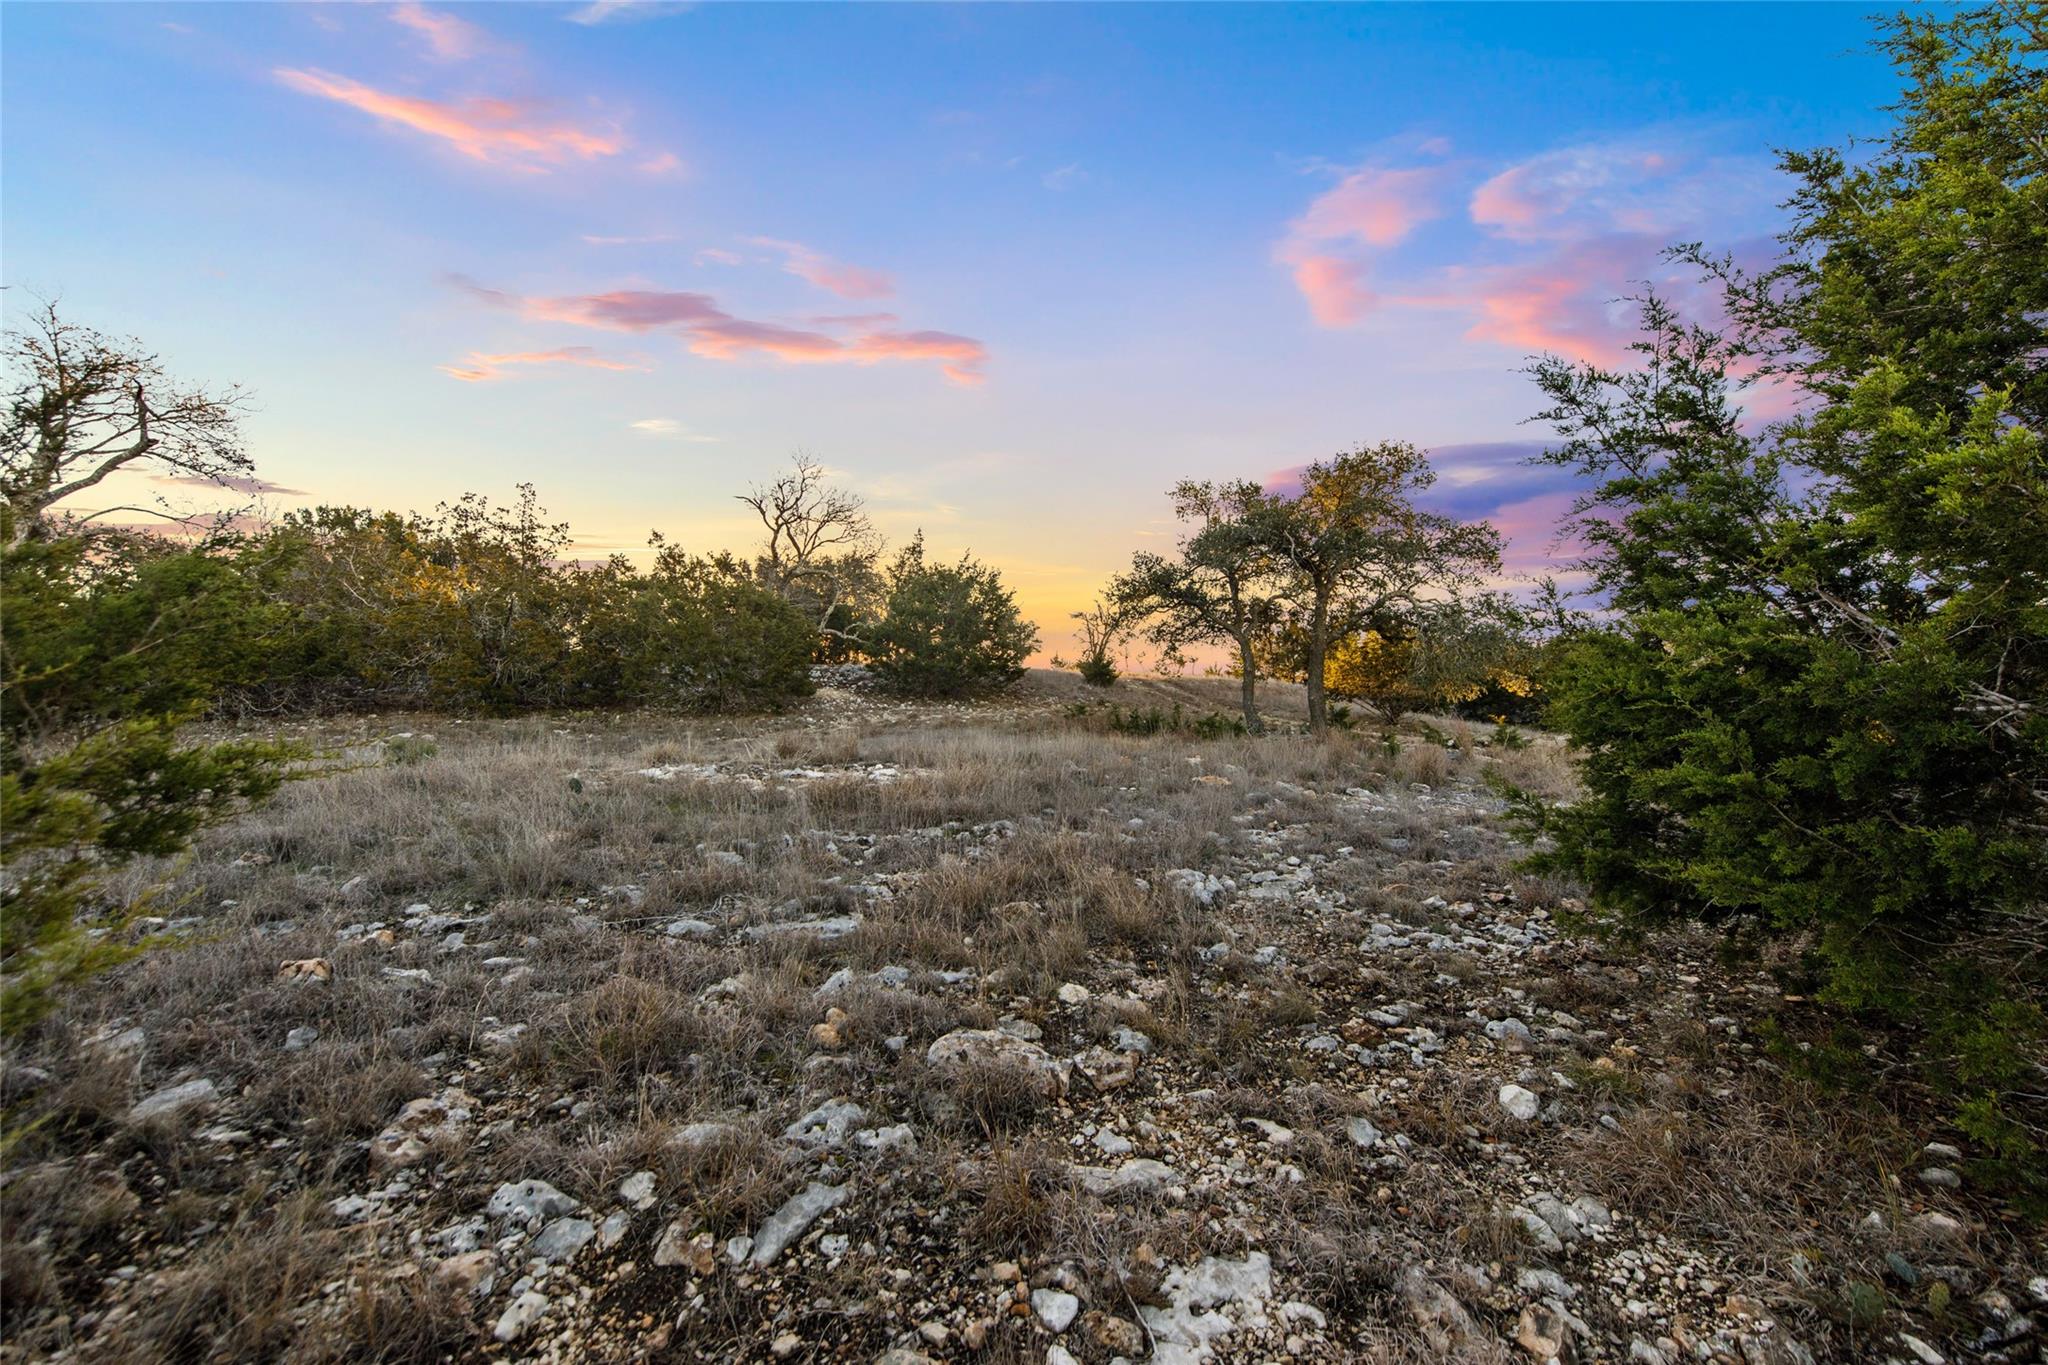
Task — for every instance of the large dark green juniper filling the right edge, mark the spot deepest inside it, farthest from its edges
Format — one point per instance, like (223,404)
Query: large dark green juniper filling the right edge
(1818,711)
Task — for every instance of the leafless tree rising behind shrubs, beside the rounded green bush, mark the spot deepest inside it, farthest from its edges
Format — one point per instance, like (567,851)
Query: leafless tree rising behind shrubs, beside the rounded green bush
(820,549)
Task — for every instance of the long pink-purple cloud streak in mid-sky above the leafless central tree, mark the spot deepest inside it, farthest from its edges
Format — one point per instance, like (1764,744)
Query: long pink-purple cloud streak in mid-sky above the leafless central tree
(716,335)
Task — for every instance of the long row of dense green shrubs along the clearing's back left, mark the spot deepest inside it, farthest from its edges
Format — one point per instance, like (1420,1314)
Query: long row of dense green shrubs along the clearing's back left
(478,609)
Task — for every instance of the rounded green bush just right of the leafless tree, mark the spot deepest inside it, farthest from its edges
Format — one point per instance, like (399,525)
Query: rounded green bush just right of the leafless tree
(949,629)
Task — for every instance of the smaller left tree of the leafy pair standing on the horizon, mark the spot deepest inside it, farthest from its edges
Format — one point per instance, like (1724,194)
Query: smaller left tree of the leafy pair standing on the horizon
(1218,590)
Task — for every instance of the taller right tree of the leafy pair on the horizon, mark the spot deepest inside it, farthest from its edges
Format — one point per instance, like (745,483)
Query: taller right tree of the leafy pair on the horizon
(1357,549)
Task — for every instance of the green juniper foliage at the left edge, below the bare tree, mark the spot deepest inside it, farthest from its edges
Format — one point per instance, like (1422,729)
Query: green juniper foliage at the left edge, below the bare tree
(103,654)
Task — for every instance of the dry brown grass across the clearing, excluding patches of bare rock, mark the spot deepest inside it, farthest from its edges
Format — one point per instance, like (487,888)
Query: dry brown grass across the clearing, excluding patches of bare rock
(1019,848)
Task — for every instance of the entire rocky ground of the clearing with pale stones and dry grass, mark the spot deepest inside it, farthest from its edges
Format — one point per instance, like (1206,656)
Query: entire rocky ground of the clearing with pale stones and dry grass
(894,1032)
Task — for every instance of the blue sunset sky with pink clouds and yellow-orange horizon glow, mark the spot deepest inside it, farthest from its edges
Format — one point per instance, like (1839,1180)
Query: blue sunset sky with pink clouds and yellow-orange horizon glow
(1009,271)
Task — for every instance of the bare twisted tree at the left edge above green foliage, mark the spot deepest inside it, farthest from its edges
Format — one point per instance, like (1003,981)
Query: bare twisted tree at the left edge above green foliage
(83,406)
